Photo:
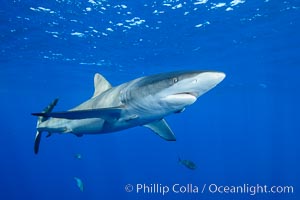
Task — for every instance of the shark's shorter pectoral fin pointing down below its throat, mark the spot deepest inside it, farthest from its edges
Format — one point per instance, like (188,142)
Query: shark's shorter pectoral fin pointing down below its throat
(162,129)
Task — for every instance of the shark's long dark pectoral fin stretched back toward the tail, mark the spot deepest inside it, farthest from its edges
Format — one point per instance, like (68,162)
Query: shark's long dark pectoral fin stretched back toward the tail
(104,113)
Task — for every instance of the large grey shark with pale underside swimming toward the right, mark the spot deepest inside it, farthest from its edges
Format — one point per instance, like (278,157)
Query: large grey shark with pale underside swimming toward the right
(145,101)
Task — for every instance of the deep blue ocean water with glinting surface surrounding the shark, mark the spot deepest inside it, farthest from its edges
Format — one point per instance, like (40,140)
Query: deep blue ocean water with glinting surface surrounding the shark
(244,132)
